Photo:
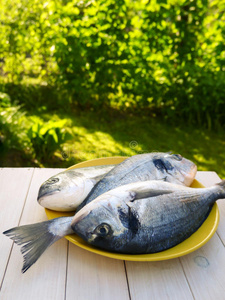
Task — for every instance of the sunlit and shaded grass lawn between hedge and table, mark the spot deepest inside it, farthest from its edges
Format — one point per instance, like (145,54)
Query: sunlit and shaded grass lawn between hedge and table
(113,134)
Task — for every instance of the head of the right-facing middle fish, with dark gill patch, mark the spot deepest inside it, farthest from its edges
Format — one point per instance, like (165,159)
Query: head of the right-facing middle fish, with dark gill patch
(175,168)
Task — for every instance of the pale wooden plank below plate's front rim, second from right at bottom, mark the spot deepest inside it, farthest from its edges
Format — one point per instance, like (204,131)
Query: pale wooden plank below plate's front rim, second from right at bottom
(157,280)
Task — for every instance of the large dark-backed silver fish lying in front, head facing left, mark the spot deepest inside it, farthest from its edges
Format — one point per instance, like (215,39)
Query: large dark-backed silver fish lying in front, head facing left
(145,217)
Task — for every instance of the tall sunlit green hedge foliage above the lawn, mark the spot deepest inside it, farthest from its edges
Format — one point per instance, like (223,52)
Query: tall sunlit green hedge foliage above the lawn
(162,55)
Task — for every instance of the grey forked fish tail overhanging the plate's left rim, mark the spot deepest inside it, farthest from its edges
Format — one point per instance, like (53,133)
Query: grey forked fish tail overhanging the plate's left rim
(36,238)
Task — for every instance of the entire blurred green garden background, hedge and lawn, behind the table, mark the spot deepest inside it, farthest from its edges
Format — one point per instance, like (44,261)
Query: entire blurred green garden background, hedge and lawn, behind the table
(85,79)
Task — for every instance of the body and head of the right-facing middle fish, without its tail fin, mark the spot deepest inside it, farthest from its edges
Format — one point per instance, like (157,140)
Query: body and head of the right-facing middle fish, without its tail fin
(151,166)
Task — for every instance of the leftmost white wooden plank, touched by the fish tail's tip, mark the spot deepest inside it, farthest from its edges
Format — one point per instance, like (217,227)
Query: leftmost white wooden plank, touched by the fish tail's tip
(14,184)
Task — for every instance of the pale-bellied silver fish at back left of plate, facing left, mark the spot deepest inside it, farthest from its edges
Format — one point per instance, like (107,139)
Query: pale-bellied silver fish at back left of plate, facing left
(66,190)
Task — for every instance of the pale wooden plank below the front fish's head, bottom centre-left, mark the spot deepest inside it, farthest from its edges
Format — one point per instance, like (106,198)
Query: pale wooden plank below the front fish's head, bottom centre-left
(91,276)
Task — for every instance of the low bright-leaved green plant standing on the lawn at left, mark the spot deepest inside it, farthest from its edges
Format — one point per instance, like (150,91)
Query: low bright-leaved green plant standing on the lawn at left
(46,138)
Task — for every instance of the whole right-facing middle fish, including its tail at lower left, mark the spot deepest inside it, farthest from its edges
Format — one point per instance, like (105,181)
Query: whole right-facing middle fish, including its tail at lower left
(36,238)
